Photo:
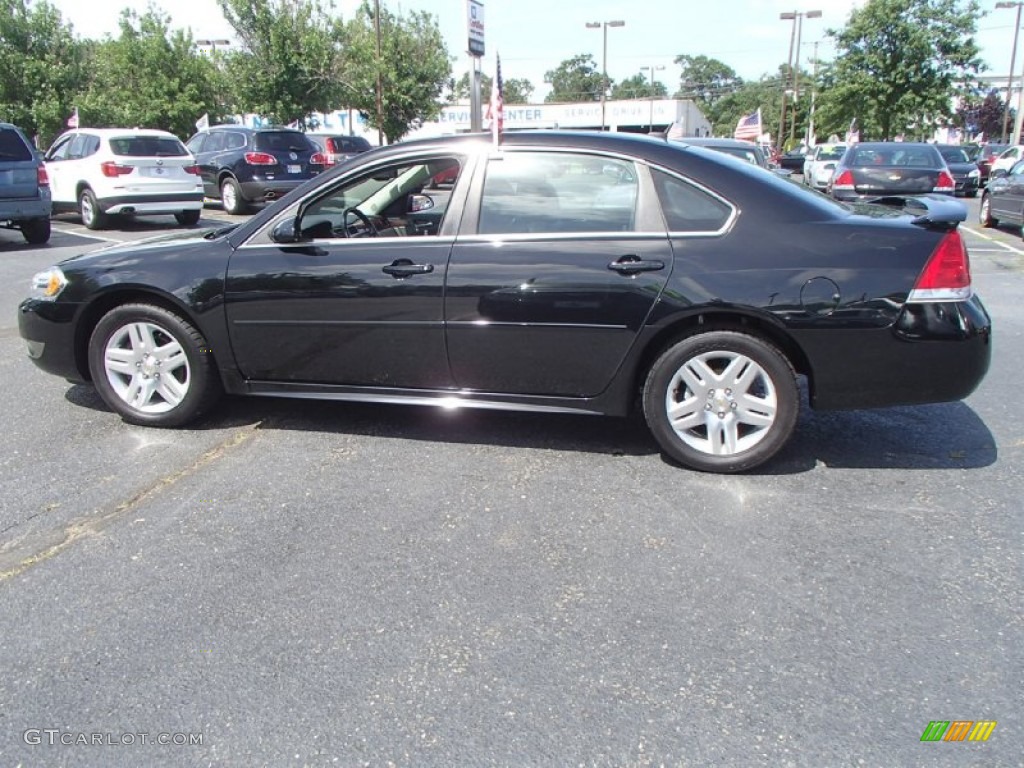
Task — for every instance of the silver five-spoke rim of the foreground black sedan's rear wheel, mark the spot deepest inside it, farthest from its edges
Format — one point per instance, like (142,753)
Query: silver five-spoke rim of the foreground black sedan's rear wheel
(721,403)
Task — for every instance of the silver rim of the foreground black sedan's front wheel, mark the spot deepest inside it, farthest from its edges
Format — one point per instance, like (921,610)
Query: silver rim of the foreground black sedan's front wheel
(147,368)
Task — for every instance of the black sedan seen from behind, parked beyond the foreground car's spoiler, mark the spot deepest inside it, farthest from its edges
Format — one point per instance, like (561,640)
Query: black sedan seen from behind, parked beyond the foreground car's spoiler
(878,169)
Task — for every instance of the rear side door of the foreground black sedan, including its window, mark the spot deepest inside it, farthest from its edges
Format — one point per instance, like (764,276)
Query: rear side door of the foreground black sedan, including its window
(560,262)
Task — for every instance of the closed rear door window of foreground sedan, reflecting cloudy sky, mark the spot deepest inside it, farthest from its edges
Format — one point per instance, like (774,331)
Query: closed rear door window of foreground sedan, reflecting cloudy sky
(559,193)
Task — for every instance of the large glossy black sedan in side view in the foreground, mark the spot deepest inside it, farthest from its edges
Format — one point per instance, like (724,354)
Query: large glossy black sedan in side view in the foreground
(559,273)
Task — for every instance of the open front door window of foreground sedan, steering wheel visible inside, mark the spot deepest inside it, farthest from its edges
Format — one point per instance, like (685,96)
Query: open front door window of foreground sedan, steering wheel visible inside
(396,201)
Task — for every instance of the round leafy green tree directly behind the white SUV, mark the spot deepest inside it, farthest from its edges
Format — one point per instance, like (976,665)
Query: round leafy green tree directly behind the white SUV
(150,77)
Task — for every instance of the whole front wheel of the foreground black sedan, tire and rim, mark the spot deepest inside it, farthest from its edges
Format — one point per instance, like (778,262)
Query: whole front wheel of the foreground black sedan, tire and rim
(153,367)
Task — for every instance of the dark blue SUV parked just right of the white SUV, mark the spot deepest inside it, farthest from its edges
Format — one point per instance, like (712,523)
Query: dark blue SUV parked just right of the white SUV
(241,166)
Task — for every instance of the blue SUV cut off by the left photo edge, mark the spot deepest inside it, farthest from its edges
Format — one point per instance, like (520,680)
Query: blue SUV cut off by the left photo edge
(25,188)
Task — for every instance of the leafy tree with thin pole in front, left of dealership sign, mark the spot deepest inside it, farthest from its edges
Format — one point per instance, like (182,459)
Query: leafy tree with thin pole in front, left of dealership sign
(415,69)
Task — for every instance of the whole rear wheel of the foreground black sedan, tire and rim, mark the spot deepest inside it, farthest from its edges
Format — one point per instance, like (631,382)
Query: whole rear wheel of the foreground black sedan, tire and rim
(730,432)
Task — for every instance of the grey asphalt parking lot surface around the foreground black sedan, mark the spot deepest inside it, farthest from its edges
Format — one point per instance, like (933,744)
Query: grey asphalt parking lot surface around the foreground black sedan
(306,584)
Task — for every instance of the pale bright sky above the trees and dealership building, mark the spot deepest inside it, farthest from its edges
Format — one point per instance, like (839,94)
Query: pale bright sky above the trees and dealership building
(535,36)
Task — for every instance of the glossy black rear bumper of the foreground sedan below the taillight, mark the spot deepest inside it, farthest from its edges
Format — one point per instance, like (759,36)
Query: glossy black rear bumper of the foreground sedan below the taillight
(935,353)
